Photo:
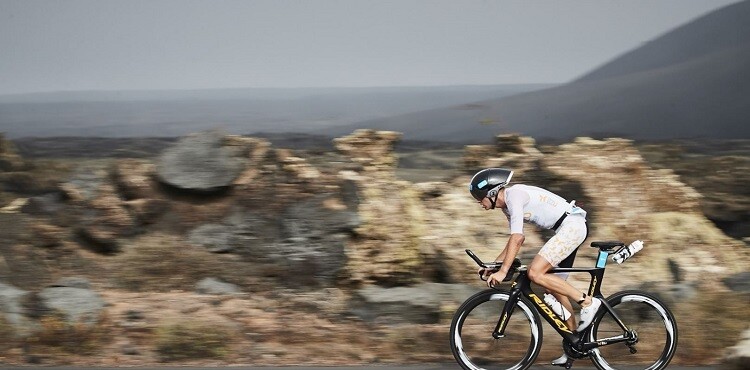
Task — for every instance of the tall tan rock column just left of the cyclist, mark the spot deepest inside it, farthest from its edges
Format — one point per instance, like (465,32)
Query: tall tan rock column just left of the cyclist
(386,249)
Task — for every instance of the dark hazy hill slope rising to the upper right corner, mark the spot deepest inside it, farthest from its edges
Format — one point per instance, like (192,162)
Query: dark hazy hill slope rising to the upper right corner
(691,82)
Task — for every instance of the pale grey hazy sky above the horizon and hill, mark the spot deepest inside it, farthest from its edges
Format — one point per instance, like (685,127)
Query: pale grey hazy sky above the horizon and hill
(180,44)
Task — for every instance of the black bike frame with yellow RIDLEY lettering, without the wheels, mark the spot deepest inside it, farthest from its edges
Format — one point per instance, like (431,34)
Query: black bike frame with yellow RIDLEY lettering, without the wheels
(522,285)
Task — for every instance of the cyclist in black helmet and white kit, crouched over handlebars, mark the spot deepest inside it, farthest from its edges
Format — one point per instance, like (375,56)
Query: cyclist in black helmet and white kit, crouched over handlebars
(525,203)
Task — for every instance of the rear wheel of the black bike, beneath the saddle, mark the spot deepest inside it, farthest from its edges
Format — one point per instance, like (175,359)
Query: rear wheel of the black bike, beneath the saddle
(650,318)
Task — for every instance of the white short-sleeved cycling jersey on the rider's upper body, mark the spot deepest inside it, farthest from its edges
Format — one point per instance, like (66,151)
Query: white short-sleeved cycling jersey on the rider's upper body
(525,203)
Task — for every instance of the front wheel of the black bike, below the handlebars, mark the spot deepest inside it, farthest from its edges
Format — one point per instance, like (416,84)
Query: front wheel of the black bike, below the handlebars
(471,340)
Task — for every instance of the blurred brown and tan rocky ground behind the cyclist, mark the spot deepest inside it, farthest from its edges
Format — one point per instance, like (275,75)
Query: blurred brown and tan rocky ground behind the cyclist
(224,249)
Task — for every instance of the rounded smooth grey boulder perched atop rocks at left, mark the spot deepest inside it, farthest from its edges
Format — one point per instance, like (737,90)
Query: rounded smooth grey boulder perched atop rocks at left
(201,163)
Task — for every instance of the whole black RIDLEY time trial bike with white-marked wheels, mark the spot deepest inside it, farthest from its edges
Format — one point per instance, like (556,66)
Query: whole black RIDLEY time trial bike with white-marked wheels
(502,328)
